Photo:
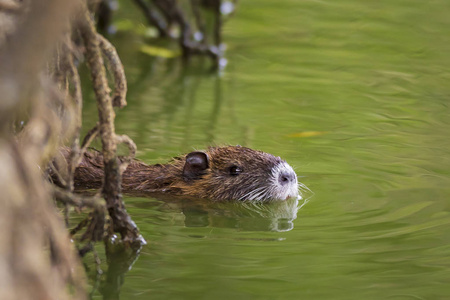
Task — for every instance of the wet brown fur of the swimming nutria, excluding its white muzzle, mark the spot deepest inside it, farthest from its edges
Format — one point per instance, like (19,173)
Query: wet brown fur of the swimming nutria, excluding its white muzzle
(215,182)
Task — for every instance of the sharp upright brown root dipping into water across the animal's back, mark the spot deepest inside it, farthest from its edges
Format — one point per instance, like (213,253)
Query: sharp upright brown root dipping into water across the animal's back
(111,191)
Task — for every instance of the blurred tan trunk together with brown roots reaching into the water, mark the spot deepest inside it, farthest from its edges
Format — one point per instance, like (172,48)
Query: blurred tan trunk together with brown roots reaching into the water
(36,93)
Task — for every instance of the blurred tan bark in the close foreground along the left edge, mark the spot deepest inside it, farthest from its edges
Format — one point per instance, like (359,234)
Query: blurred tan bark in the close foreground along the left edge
(37,259)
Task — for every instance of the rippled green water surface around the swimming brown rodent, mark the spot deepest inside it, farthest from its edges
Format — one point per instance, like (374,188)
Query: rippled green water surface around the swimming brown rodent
(354,95)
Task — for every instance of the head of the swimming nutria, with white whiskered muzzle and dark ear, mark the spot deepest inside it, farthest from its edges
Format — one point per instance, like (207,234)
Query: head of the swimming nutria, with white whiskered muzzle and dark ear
(238,173)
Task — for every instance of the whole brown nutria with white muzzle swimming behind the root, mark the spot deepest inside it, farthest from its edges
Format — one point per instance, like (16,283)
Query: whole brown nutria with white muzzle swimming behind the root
(219,173)
